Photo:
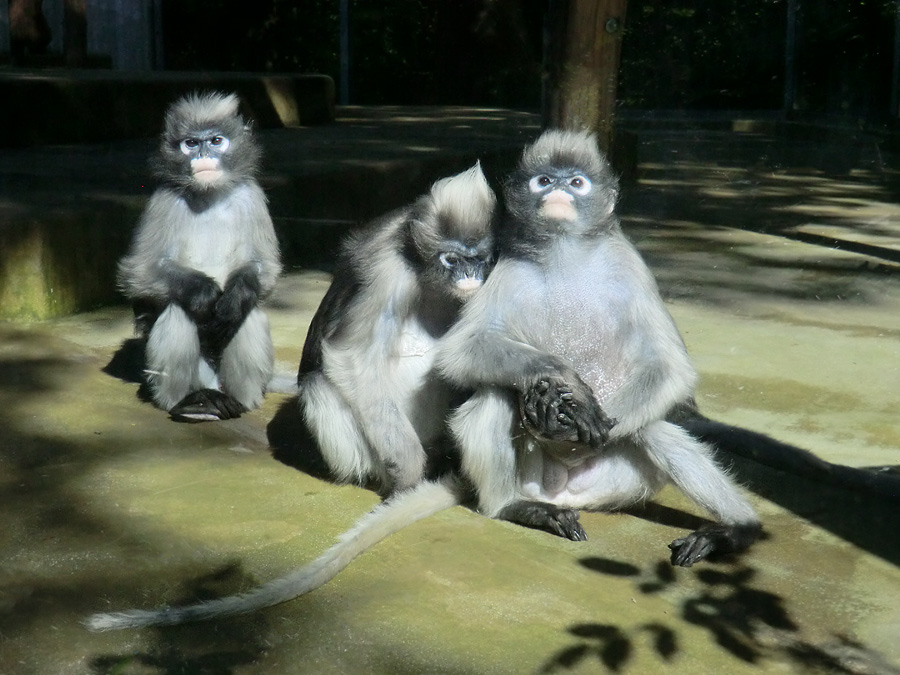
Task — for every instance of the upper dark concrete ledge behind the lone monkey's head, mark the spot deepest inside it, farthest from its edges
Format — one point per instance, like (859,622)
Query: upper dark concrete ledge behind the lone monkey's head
(65,106)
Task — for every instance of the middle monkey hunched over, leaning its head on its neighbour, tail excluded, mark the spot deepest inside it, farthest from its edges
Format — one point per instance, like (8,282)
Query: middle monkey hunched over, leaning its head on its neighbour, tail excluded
(368,393)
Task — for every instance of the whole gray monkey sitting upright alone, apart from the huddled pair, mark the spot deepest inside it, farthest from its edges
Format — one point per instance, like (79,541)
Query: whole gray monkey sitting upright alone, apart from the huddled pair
(202,259)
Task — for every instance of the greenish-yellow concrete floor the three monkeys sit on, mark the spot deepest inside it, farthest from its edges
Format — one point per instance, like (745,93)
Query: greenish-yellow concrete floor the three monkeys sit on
(781,265)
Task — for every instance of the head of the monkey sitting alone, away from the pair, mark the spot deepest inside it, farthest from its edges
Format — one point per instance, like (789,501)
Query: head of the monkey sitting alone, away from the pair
(206,145)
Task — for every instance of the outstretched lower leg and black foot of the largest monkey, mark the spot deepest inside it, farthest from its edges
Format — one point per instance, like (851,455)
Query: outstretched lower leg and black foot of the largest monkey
(689,464)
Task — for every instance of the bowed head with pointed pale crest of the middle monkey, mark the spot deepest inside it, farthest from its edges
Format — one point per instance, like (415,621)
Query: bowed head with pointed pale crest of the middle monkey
(450,235)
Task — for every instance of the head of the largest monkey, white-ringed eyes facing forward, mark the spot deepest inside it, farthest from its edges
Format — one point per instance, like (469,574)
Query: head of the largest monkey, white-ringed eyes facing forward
(563,183)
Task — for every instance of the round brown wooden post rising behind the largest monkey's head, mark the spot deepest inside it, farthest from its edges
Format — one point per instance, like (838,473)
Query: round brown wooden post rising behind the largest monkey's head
(581,65)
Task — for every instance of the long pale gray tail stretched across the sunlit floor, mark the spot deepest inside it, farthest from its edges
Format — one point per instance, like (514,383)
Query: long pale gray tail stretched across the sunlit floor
(393,515)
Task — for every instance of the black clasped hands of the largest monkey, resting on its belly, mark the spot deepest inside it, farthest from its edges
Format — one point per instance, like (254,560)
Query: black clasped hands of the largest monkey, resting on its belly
(554,409)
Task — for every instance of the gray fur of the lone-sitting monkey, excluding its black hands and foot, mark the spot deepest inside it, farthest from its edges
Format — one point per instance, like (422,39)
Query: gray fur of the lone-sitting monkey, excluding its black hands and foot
(211,228)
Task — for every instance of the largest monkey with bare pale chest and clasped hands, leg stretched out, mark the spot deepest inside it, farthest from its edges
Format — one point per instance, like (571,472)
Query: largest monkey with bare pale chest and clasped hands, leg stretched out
(571,309)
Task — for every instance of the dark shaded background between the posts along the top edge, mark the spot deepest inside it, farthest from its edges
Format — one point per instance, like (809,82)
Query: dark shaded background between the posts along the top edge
(677,54)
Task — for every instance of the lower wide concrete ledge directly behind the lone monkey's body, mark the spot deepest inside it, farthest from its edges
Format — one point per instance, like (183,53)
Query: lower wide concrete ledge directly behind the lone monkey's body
(67,212)
